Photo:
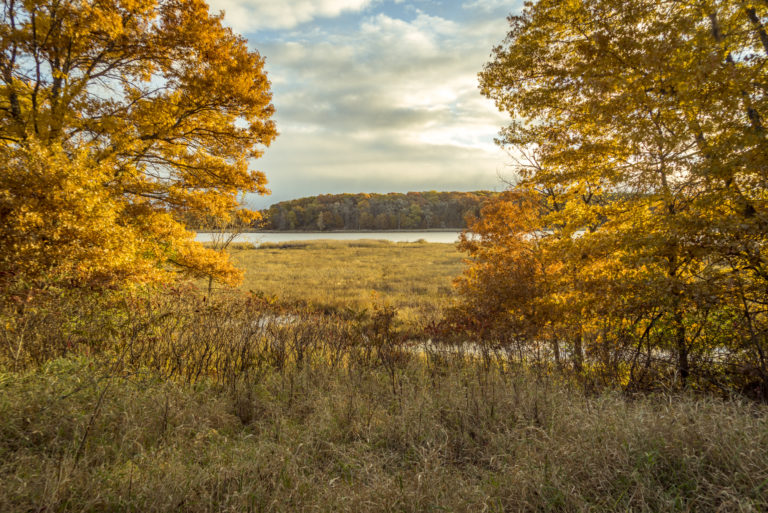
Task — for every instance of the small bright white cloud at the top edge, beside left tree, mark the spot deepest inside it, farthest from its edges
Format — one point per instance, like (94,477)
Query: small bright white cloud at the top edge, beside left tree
(250,15)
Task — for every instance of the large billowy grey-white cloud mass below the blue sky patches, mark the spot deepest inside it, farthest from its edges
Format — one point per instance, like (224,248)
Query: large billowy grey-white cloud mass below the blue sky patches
(408,80)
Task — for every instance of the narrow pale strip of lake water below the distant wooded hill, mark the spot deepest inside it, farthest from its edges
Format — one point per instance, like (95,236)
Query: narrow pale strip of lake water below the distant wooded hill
(258,238)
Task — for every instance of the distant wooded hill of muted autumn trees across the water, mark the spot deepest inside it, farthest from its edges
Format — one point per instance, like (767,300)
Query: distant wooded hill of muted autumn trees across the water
(393,211)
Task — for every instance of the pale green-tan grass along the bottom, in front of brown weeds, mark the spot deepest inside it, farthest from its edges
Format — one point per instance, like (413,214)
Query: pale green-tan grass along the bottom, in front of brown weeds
(454,437)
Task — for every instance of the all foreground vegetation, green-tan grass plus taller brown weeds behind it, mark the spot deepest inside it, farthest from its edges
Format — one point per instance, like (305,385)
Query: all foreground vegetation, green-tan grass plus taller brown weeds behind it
(184,404)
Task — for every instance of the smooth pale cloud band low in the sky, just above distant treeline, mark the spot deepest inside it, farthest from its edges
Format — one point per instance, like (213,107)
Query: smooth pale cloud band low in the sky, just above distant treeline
(329,165)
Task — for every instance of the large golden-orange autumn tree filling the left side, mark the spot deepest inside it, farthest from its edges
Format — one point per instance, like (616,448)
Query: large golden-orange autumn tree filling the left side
(118,119)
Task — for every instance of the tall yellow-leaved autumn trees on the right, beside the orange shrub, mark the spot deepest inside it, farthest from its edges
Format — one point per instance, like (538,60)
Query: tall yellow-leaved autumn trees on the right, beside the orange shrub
(640,124)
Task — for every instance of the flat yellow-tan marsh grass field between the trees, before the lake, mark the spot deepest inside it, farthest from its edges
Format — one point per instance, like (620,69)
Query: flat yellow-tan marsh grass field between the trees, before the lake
(413,277)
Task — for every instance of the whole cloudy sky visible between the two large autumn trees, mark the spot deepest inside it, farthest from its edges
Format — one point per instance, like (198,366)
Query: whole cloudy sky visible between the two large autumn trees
(377,95)
